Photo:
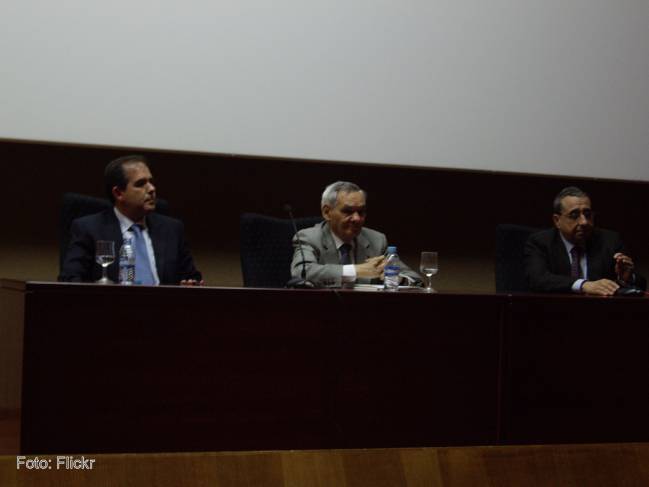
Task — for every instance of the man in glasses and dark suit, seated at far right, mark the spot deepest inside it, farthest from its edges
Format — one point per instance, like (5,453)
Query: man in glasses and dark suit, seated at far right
(575,256)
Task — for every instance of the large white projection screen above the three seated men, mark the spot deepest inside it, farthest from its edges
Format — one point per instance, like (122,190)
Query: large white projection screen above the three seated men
(529,86)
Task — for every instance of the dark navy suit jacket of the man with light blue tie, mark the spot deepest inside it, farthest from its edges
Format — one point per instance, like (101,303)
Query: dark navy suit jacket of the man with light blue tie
(173,260)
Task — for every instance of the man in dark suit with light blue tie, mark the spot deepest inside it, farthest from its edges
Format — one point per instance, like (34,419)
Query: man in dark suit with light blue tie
(162,255)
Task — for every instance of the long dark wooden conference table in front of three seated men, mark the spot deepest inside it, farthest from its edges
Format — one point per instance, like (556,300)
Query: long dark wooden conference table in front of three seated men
(91,368)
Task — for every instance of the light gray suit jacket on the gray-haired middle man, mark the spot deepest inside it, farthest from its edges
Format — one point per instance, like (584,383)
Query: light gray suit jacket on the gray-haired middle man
(323,261)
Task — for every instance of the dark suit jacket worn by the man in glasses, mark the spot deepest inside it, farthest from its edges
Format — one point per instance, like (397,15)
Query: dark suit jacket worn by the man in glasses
(547,264)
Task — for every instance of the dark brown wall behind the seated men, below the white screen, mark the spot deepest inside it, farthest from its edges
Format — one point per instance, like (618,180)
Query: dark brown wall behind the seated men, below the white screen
(452,211)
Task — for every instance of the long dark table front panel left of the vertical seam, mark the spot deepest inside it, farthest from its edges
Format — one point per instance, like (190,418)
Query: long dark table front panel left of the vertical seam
(169,369)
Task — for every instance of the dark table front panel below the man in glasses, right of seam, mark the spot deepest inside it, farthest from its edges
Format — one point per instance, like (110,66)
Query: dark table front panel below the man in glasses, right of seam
(576,370)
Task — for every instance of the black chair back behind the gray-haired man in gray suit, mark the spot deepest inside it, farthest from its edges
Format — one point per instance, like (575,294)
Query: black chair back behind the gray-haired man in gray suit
(266,248)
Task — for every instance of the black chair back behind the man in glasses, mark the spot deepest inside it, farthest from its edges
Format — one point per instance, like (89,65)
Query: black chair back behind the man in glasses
(510,269)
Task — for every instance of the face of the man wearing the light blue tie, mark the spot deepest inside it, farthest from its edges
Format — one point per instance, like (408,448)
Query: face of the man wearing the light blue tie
(138,198)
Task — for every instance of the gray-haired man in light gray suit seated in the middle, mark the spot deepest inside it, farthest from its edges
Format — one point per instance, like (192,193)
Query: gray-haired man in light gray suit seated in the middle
(340,251)
